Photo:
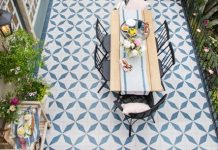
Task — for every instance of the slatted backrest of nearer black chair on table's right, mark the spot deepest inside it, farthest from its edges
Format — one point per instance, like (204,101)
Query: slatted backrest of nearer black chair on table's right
(167,58)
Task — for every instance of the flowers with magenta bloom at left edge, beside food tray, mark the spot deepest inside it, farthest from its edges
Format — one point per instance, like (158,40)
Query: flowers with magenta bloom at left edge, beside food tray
(9,108)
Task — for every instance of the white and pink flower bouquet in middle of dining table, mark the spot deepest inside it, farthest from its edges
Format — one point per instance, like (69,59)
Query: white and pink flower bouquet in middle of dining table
(132,47)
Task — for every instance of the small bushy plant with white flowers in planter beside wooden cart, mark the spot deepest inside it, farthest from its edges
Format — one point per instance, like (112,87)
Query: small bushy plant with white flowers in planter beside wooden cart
(32,90)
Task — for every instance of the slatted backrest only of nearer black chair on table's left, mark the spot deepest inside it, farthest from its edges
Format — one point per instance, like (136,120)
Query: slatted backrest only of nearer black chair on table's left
(99,56)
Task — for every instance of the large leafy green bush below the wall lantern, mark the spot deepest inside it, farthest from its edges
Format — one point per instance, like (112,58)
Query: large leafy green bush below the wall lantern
(18,62)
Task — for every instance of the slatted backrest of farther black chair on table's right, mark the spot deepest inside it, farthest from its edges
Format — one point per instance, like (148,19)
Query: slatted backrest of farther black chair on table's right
(162,35)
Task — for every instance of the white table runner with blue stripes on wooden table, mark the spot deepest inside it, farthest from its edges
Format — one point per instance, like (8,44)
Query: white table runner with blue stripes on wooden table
(135,81)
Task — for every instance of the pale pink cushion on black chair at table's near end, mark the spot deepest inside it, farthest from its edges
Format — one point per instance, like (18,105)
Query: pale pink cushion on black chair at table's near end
(134,108)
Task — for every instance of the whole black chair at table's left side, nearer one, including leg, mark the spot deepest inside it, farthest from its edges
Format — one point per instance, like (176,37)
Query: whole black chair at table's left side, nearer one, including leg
(102,65)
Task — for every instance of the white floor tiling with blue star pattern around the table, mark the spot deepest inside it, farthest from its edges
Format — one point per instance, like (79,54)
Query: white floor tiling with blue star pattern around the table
(83,119)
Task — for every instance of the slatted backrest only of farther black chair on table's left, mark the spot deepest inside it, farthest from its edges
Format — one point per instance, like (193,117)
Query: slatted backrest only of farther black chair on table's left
(100,31)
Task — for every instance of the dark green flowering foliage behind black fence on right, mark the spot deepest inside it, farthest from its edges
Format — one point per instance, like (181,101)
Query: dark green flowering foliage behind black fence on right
(204,24)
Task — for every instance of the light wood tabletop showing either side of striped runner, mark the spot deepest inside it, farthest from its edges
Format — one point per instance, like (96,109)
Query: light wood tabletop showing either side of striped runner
(152,61)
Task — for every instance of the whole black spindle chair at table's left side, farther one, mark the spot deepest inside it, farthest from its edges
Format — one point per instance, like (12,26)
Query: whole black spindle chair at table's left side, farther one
(103,37)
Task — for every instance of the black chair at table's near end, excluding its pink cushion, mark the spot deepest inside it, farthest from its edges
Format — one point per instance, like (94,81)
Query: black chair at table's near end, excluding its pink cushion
(139,99)
